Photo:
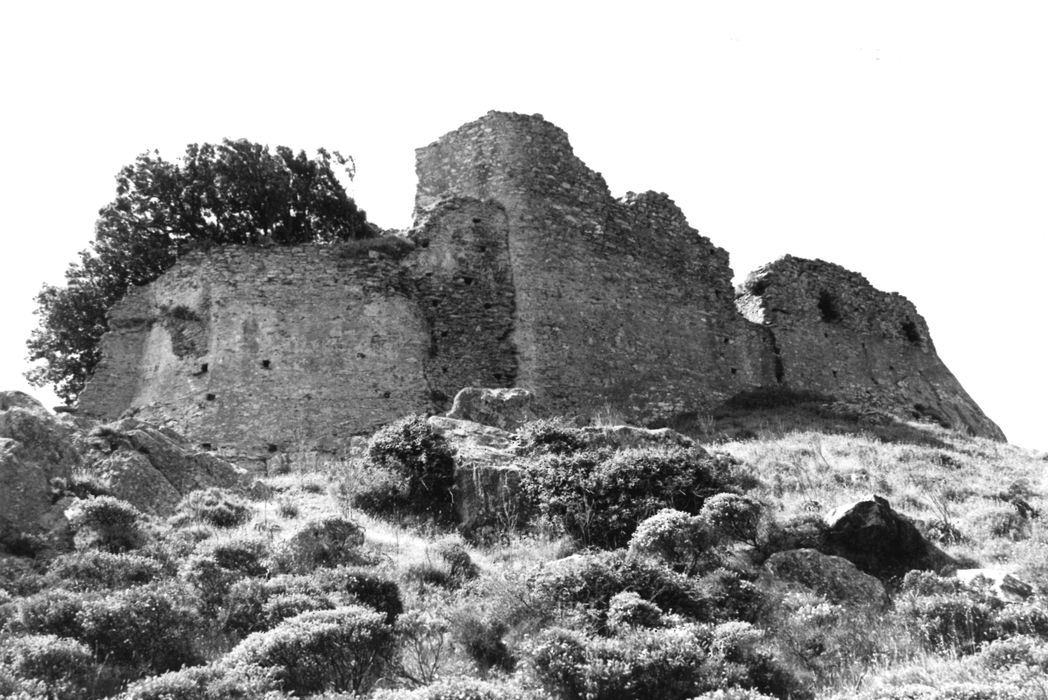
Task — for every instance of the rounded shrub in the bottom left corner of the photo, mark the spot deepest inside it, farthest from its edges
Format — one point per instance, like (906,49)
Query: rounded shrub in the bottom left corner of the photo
(64,667)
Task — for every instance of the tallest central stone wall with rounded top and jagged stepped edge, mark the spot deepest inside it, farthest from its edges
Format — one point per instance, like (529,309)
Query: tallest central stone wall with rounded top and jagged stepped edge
(620,305)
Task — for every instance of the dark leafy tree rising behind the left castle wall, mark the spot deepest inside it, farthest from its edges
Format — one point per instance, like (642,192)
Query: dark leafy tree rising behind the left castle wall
(235,192)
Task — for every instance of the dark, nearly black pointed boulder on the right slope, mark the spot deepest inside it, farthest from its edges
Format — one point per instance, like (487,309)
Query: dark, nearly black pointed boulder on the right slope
(882,542)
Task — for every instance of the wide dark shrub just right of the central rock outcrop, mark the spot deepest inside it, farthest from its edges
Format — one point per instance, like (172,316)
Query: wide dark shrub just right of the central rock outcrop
(599,498)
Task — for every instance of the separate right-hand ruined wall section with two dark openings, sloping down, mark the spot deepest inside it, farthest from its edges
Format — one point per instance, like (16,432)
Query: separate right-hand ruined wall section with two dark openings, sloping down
(839,336)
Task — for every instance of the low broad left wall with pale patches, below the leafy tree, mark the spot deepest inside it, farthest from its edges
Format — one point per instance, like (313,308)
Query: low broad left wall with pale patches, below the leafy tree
(273,349)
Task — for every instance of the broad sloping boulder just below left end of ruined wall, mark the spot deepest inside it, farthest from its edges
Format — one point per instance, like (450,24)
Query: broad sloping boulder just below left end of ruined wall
(154,468)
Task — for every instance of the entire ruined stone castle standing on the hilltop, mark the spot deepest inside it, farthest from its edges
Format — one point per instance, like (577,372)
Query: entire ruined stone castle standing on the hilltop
(521,270)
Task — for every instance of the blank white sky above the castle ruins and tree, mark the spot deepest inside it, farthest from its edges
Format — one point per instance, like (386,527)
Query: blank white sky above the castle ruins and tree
(907,141)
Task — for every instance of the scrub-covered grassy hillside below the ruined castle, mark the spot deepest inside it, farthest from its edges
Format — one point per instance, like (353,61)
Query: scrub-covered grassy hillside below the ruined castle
(303,595)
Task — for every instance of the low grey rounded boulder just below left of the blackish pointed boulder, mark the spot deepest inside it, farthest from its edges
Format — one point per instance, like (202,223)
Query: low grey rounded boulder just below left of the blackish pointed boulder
(835,578)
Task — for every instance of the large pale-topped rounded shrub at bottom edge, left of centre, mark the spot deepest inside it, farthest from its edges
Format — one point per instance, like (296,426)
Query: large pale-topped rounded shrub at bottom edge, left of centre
(345,649)
